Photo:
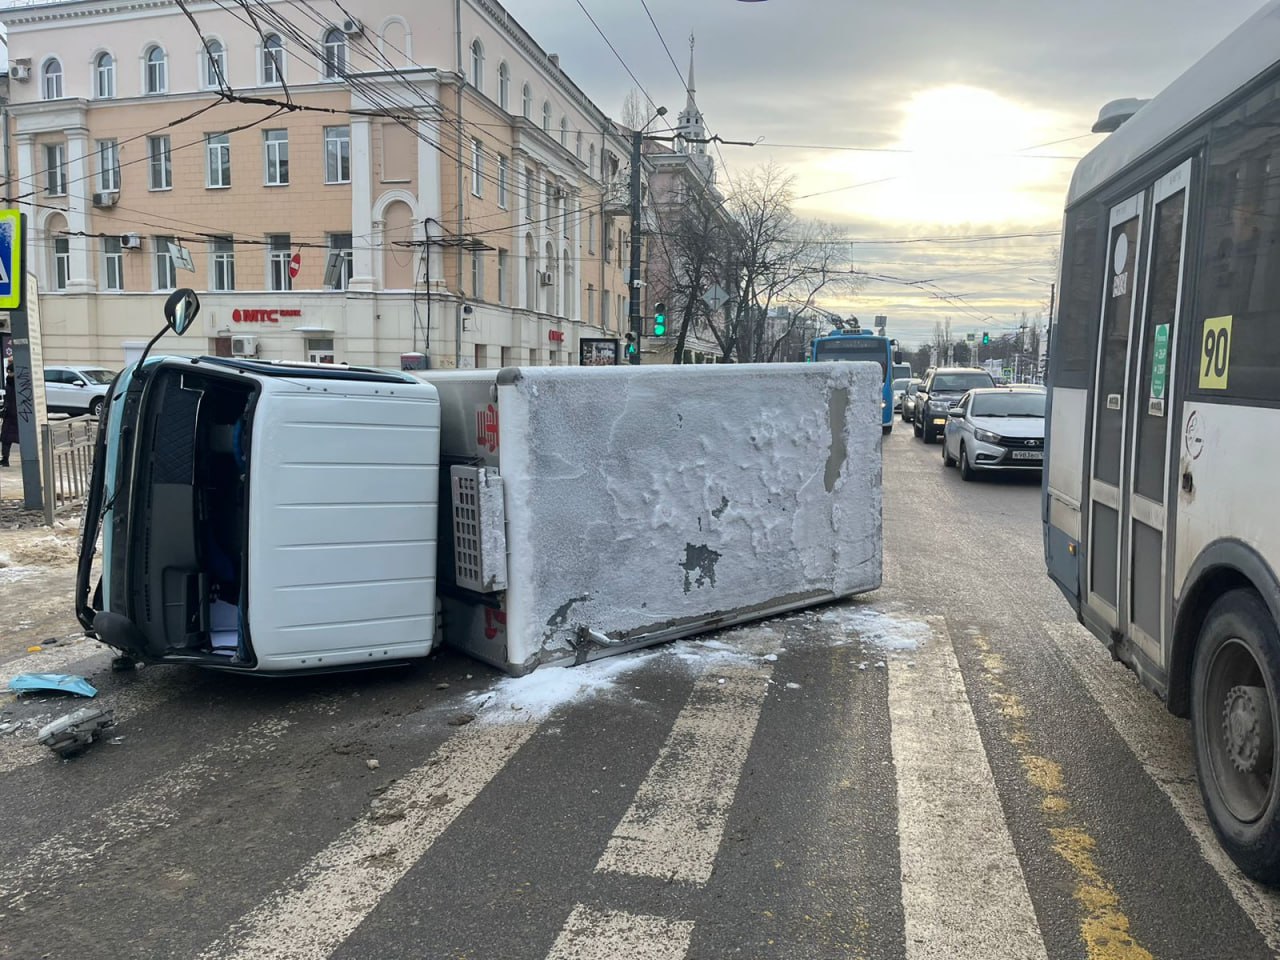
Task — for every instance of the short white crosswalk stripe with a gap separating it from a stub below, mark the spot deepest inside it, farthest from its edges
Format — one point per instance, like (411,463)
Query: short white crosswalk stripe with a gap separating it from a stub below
(676,822)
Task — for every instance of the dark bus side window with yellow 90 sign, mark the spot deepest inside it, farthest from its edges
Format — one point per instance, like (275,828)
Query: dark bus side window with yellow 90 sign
(1241,269)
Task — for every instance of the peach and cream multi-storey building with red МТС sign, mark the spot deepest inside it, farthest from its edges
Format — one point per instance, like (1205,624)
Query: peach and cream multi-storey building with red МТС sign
(349,182)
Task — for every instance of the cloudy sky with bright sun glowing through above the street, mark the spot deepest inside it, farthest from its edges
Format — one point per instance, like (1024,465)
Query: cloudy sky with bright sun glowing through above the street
(959,120)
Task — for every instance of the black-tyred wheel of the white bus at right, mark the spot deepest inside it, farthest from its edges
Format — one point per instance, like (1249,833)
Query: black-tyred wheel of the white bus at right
(1235,724)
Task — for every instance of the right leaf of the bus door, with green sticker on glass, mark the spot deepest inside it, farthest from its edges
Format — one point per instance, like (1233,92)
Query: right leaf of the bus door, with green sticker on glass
(1151,405)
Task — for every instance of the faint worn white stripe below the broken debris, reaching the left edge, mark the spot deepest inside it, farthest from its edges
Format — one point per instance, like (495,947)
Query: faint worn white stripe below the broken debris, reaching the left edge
(156,806)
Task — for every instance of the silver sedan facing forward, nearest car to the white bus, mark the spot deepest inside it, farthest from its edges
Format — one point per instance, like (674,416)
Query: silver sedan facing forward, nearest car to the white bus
(996,428)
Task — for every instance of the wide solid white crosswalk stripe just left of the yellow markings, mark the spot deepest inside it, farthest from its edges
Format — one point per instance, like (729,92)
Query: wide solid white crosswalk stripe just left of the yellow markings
(964,895)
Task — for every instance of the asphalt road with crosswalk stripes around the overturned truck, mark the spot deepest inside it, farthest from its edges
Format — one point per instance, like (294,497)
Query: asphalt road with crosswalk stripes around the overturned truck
(949,769)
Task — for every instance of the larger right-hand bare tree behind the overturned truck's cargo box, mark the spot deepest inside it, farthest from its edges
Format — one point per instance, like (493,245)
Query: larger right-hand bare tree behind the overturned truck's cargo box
(772,259)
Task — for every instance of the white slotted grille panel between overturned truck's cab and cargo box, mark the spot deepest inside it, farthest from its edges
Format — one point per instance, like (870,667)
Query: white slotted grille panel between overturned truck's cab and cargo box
(479,531)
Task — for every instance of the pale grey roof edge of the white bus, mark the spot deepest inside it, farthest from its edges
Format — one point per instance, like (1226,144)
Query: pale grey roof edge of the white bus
(1244,56)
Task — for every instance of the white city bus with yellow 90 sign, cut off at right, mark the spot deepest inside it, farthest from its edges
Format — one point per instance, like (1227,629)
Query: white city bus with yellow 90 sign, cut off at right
(1162,524)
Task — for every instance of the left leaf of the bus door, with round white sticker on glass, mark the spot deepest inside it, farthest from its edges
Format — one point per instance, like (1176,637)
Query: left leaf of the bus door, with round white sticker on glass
(1107,456)
